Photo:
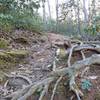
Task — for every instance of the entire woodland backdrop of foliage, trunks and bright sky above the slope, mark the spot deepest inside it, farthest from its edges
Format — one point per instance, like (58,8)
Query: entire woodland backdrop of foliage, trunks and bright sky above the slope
(72,16)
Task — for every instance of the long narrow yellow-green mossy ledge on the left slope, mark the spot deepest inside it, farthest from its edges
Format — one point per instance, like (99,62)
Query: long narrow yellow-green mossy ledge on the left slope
(17,53)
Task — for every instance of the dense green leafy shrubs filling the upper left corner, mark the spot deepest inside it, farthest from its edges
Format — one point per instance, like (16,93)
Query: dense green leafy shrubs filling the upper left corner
(19,15)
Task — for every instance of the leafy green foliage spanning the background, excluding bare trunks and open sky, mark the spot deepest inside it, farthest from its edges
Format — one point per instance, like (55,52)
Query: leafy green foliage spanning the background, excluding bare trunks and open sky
(23,14)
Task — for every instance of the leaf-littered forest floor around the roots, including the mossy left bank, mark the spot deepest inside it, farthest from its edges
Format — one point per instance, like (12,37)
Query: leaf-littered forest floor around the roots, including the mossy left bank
(28,58)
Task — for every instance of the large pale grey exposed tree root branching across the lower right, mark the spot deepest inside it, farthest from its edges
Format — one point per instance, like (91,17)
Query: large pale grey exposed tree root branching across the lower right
(71,72)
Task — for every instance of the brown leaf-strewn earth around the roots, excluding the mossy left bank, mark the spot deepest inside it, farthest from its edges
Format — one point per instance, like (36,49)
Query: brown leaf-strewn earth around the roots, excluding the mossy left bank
(38,64)
